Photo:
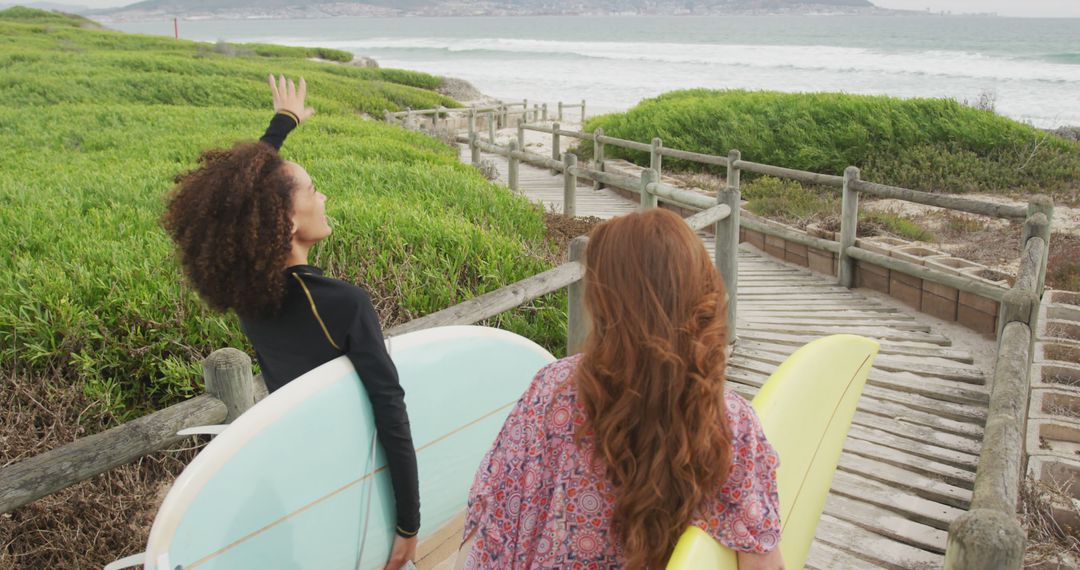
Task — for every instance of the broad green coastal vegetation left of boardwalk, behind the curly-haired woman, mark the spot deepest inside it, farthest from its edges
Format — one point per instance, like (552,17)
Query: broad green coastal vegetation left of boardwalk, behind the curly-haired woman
(96,125)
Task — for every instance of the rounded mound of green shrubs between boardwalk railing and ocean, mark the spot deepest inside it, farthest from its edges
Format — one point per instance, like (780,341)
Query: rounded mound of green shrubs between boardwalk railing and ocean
(933,145)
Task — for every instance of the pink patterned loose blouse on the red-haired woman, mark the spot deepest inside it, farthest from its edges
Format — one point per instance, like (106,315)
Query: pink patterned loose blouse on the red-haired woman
(538,501)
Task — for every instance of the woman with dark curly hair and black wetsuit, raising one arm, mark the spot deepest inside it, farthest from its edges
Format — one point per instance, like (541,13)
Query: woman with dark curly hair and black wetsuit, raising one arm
(244,223)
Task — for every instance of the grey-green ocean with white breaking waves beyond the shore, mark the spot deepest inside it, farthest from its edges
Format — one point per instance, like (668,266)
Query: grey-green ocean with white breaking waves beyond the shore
(1030,69)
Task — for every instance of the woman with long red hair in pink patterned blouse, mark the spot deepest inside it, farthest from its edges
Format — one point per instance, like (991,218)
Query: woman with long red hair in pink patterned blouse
(612,454)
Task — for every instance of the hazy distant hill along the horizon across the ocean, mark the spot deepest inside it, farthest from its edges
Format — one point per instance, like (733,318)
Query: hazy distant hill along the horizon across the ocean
(320,8)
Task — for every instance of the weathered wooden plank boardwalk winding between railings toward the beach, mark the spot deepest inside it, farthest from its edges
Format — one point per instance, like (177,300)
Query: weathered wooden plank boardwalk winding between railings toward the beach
(909,465)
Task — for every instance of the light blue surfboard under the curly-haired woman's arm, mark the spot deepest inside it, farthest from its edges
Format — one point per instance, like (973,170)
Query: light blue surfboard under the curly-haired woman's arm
(287,484)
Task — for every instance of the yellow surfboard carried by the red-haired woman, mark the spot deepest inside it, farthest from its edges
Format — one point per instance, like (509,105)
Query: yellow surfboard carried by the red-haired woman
(806,410)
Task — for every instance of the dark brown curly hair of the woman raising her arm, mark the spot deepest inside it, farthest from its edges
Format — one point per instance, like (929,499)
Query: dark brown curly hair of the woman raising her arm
(232,222)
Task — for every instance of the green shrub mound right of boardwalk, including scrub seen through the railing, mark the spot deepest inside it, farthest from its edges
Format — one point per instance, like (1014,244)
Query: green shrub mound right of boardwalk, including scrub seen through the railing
(929,145)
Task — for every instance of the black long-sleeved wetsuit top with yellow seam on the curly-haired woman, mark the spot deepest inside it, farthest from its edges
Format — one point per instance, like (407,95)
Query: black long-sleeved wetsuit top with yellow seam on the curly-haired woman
(320,320)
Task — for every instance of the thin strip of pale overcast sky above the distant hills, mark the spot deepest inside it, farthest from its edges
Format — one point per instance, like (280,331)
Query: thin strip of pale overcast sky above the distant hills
(1005,8)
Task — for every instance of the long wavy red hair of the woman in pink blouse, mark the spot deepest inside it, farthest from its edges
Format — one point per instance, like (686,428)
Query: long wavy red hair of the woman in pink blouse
(652,377)
